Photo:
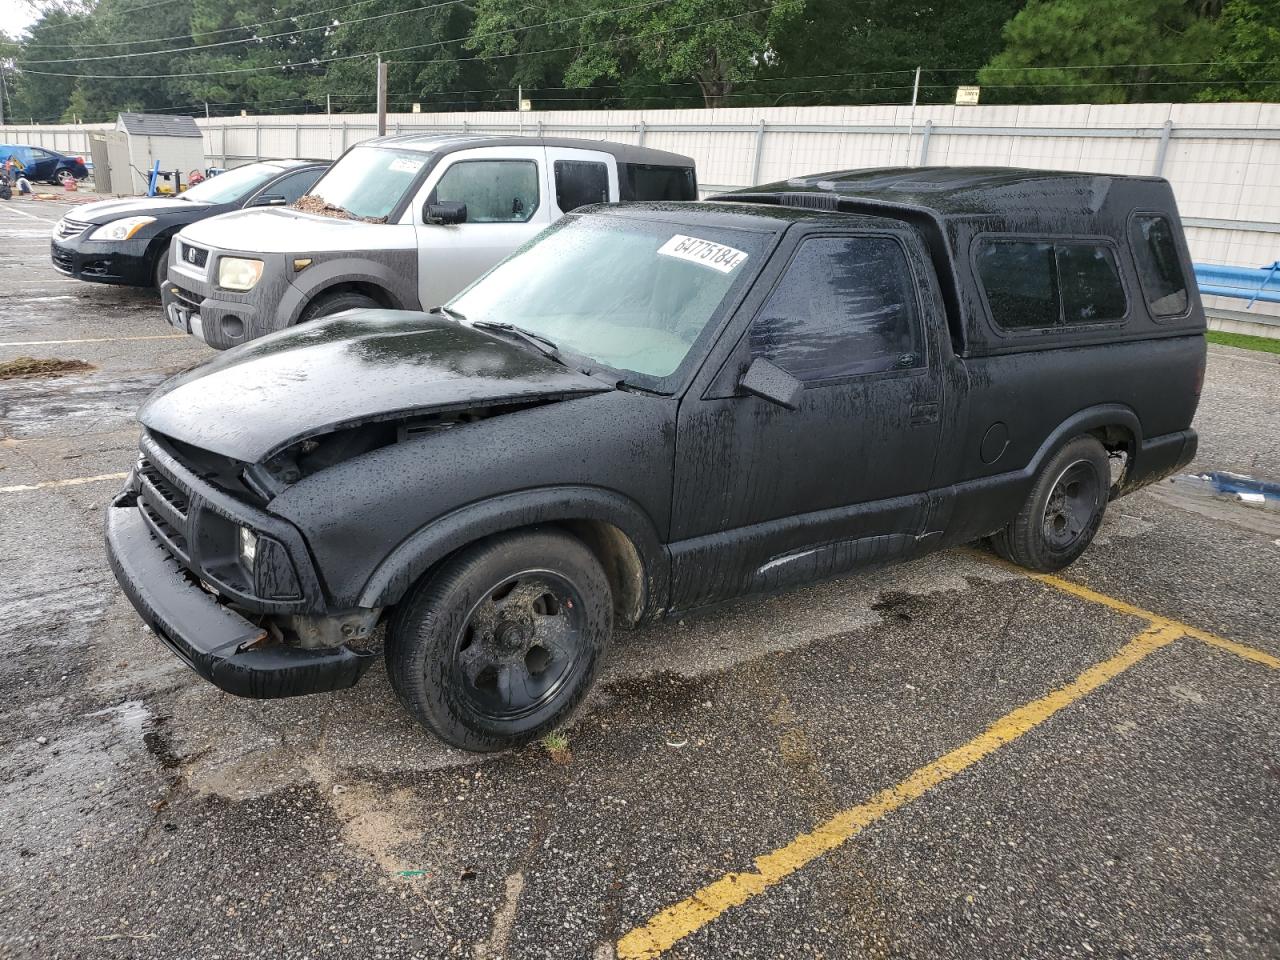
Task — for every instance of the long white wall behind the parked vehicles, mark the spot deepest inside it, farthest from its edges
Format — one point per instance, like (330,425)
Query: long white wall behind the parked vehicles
(1223,159)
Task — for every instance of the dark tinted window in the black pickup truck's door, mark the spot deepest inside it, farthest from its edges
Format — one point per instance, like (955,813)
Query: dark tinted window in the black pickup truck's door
(845,307)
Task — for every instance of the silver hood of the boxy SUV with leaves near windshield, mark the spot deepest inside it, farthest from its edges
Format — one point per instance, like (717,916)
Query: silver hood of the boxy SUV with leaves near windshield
(284,231)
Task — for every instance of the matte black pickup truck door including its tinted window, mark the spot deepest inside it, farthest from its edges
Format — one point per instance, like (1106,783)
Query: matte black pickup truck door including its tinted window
(766,496)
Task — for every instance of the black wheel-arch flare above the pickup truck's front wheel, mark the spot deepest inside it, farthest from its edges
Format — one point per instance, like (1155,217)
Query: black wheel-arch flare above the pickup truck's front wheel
(438,540)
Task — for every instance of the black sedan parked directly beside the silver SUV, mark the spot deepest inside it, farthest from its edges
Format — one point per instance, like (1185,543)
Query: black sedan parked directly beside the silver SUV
(127,241)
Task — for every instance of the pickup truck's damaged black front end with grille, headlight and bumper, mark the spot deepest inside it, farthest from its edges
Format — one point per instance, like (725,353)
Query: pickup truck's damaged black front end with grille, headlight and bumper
(228,587)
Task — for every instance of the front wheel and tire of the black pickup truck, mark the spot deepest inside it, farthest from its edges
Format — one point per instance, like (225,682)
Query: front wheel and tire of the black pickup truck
(504,642)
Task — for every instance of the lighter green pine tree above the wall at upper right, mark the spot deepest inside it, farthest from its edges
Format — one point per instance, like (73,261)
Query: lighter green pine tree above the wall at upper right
(1103,52)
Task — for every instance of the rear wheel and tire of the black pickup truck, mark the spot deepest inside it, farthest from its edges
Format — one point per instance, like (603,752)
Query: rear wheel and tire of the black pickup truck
(1063,513)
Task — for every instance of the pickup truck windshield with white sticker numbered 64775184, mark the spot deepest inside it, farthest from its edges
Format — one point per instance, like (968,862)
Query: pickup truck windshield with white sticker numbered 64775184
(632,295)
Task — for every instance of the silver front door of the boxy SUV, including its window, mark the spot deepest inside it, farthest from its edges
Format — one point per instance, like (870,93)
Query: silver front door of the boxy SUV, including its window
(509,202)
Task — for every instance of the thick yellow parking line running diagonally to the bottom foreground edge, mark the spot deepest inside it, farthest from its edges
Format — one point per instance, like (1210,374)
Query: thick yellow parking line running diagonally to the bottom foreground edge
(678,922)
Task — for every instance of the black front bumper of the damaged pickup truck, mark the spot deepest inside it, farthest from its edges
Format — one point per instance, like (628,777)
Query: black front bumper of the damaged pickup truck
(209,637)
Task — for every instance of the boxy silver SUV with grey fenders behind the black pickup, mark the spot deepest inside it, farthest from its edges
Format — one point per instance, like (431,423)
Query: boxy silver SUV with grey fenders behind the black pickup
(397,222)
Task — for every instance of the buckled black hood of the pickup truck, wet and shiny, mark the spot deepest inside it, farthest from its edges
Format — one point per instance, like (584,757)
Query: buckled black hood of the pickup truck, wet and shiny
(364,365)
